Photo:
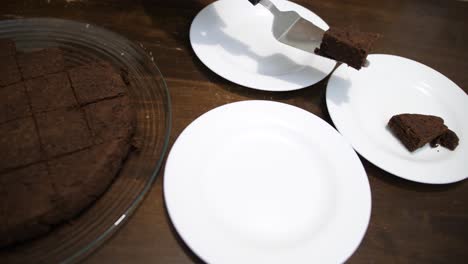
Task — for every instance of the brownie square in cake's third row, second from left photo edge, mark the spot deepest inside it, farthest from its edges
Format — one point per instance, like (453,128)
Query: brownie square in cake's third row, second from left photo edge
(63,131)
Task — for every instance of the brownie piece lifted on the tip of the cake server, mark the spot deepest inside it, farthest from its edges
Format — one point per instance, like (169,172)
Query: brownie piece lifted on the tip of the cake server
(347,45)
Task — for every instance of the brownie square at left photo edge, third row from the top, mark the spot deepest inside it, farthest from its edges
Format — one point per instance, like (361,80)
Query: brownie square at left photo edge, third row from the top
(19,143)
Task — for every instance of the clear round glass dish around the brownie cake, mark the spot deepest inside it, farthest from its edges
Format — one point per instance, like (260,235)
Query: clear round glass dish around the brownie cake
(84,43)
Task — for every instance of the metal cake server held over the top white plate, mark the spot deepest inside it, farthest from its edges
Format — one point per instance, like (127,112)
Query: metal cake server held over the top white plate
(293,30)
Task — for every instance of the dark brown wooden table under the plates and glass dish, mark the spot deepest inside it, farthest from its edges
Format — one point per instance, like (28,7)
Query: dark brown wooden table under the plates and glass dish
(410,223)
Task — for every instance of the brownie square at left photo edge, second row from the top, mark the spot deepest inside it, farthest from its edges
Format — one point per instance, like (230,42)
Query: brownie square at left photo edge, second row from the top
(14,102)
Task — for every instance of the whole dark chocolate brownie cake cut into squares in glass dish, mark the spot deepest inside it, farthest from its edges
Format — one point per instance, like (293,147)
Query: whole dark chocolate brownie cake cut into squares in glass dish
(64,134)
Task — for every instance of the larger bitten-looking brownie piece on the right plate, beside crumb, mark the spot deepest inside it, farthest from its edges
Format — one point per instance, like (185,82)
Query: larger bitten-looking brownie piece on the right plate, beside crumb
(415,130)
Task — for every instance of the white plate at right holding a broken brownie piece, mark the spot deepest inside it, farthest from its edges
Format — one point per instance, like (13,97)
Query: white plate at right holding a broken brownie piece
(362,102)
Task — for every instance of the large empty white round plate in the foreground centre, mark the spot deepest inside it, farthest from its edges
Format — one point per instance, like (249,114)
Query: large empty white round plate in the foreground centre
(266,182)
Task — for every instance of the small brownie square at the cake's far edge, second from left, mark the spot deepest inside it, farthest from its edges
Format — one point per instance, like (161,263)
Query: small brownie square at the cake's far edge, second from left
(42,62)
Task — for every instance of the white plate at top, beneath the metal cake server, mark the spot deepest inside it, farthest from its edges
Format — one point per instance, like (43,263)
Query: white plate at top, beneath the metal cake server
(234,39)
